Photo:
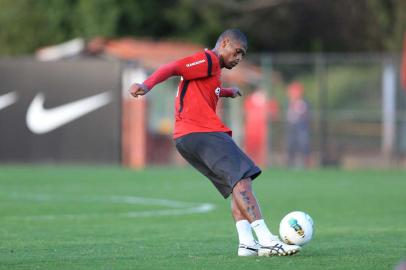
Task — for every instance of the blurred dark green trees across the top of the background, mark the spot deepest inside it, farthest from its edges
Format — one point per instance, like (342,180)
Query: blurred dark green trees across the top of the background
(273,25)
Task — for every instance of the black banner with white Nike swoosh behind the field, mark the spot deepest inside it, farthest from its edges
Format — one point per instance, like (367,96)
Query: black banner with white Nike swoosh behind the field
(66,111)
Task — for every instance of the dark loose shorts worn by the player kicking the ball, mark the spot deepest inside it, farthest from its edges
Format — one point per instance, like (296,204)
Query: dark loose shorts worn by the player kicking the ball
(216,156)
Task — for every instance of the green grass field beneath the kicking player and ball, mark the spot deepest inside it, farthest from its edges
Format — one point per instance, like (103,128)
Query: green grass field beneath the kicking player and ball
(113,218)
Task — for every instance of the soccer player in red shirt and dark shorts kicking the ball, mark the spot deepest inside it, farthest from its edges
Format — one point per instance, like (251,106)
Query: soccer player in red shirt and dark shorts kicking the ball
(206,143)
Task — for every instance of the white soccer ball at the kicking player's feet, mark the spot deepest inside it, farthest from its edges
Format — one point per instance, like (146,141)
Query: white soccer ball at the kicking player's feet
(296,228)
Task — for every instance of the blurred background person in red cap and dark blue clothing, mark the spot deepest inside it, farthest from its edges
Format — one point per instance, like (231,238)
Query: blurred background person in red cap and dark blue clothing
(298,127)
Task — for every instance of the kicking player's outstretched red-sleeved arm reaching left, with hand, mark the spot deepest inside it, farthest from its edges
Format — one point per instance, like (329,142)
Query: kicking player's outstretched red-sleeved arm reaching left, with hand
(192,67)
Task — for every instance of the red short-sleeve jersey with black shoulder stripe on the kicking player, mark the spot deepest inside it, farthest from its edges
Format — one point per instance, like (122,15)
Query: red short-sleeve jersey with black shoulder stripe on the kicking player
(198,94)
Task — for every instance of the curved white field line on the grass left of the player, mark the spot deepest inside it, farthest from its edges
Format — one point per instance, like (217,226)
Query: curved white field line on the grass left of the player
(175,207)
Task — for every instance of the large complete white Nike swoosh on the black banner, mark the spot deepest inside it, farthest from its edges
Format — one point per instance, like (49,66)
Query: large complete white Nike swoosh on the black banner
(40,120)
